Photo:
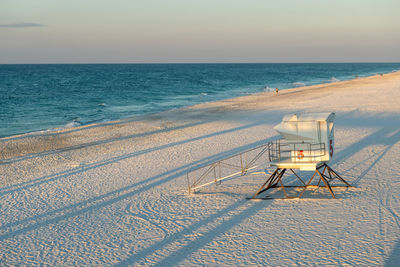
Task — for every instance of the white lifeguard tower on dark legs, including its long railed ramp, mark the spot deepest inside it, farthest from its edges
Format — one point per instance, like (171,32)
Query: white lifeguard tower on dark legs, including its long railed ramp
(306,144)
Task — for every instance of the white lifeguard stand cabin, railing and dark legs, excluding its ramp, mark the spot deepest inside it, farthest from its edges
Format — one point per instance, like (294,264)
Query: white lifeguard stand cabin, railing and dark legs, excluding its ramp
(307,145)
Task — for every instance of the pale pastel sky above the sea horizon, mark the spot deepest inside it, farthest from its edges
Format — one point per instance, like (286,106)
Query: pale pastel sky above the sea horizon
(151,31)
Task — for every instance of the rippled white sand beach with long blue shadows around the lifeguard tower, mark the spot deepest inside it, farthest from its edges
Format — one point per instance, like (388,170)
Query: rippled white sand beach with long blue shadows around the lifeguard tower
(116,193)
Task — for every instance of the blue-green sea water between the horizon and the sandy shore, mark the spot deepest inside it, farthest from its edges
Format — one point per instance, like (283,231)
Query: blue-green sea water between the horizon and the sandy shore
(40,97)
